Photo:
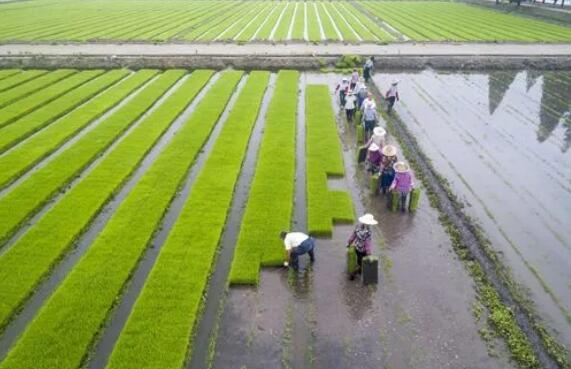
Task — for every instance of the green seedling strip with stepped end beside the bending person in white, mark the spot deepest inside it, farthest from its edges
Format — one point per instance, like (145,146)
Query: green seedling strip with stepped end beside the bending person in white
(273,183)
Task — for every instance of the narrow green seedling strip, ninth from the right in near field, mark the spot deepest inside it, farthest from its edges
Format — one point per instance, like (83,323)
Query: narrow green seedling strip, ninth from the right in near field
(11,113)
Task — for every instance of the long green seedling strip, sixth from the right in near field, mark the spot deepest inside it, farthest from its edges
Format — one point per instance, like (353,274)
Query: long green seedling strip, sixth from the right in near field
(22,202)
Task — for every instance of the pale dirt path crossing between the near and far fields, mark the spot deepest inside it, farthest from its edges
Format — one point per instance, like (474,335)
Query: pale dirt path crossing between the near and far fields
(290,49)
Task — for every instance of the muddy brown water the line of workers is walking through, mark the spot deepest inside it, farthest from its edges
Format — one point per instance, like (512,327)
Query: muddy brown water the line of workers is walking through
(419,316)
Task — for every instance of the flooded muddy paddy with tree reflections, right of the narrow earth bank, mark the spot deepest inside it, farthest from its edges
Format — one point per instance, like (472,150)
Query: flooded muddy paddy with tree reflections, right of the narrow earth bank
(502,139)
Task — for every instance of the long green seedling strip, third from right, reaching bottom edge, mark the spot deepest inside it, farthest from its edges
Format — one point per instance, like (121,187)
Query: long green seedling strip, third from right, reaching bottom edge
(179,277)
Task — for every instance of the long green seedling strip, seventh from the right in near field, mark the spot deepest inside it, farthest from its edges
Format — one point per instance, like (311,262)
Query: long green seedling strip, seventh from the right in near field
(28,153)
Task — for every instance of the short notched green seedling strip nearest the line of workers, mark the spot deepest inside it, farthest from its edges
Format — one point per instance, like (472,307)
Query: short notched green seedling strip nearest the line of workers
(323,153)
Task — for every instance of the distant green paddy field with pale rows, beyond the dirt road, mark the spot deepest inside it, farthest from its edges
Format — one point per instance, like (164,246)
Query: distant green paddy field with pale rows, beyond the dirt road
(266,21)
